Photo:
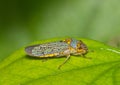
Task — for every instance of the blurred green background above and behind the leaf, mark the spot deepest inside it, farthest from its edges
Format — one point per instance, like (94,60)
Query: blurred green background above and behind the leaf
(26,21)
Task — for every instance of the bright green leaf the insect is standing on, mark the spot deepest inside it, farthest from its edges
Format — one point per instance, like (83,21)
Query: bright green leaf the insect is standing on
(102,69)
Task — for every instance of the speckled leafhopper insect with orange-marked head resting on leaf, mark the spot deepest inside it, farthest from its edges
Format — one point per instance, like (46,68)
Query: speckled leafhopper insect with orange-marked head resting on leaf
(61,48)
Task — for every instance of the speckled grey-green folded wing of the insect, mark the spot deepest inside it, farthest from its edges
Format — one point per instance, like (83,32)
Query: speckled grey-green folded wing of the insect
(44,50)
